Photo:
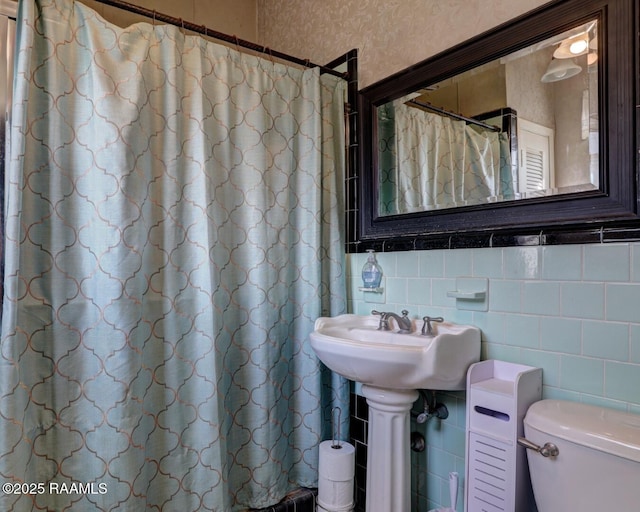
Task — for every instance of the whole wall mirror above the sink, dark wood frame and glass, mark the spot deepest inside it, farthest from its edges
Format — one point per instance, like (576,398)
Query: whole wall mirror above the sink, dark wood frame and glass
(530,124)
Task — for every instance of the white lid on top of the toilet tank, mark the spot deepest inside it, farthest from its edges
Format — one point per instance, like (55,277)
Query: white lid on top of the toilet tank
(603,429)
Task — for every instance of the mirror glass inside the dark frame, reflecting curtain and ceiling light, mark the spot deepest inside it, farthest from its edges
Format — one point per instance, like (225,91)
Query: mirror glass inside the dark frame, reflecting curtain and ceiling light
(525,125)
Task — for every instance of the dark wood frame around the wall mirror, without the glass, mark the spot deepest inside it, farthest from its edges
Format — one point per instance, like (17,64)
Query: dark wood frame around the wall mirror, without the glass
(601,215)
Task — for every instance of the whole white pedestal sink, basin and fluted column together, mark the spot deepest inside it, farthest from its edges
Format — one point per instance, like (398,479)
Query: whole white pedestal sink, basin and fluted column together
(391,366)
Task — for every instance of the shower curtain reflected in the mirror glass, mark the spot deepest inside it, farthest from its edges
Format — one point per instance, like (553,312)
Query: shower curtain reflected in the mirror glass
(429,161)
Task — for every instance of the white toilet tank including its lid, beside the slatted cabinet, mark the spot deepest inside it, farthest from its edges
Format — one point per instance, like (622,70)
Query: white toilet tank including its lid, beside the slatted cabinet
(598,462)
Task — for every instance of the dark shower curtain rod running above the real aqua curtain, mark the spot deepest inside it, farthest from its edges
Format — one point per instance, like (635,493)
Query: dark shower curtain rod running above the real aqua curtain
(201,29)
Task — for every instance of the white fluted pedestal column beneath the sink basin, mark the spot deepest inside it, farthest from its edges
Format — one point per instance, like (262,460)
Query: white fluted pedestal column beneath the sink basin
(389,455)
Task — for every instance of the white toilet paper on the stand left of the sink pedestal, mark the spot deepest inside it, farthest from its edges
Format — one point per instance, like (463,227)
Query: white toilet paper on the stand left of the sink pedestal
(336,470)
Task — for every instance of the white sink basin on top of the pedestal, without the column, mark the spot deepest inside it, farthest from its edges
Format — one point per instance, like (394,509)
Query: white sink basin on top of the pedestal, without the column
(352,346)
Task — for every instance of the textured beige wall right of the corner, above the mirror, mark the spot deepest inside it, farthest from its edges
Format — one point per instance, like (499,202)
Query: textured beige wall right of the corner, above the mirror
(389,34)
